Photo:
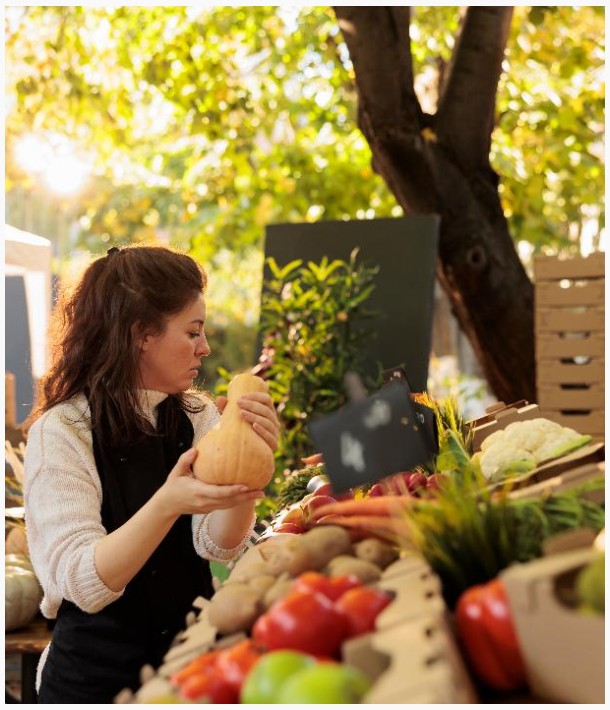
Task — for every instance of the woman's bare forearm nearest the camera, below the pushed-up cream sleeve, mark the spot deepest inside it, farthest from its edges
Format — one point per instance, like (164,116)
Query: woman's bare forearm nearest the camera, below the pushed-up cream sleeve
(121,554)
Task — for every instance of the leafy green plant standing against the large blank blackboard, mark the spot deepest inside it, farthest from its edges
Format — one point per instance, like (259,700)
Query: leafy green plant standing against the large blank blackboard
(315,329)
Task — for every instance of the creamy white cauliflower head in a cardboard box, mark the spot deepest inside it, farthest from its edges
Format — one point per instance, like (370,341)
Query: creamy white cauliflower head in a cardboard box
(522,445)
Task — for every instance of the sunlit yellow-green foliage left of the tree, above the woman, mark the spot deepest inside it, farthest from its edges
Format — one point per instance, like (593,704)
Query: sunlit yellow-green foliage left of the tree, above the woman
(209,122)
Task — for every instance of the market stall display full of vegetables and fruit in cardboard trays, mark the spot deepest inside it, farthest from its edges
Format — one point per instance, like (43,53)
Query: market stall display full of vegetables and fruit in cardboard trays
(476,580)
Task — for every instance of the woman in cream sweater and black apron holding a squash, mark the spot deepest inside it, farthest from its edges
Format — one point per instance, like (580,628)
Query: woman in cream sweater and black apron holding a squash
(120,532)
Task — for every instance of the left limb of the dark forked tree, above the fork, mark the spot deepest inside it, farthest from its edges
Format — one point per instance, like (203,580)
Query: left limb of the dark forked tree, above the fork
(380,50)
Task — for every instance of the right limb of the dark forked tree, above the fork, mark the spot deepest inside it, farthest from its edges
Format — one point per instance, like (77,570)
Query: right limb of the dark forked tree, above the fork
(465,118)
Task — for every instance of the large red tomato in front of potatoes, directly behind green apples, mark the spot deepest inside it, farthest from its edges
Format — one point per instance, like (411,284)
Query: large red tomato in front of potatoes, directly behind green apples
(302,621)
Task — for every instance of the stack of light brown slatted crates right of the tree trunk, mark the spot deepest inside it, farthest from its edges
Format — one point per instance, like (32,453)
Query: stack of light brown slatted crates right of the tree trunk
(570,341)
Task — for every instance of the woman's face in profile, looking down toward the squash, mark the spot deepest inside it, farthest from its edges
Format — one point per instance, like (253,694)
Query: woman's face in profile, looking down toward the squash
(169,361)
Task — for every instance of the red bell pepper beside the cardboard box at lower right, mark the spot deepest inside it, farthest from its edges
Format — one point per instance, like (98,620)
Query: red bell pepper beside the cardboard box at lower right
(487,635)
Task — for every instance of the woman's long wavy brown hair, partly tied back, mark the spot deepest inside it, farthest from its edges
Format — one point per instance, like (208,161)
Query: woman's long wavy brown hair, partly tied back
(95,328)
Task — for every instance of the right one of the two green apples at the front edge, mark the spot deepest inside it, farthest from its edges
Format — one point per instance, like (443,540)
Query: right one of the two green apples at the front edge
(325,683)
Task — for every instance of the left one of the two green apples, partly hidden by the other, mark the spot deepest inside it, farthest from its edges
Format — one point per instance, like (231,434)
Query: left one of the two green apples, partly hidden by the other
(269,674)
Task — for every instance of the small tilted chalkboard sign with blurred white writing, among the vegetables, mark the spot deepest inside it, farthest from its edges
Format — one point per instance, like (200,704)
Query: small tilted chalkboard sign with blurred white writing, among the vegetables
(372,438)
